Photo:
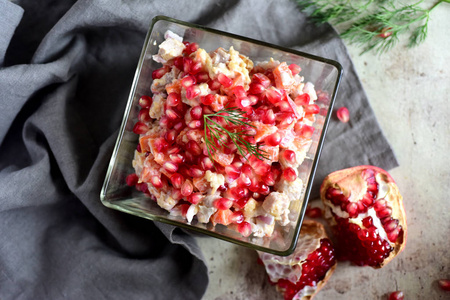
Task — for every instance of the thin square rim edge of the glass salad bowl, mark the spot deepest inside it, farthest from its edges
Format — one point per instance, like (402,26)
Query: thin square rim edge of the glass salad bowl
(315,161)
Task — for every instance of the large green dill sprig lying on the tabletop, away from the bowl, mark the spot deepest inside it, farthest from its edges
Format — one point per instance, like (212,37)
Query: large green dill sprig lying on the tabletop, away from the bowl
(373,25)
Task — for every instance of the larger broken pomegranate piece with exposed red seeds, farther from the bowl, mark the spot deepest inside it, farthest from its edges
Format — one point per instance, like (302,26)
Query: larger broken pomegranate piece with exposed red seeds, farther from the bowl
(364,207)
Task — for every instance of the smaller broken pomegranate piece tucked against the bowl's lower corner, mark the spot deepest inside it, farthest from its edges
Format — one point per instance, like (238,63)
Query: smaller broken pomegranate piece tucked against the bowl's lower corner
(303,273)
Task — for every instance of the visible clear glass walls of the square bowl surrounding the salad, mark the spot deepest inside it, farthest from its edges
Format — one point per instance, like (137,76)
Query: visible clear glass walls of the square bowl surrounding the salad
(323,73)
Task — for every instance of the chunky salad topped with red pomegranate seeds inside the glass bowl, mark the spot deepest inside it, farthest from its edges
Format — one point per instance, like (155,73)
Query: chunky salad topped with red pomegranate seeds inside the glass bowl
(221,137)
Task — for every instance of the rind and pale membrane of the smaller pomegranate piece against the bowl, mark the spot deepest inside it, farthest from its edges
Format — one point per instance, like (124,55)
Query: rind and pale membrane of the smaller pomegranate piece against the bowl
(310,229)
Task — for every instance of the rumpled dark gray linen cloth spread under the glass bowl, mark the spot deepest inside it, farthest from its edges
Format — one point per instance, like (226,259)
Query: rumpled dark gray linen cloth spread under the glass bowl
(66,68)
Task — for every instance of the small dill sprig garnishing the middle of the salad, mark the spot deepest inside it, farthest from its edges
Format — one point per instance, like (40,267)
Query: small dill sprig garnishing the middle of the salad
(214,131)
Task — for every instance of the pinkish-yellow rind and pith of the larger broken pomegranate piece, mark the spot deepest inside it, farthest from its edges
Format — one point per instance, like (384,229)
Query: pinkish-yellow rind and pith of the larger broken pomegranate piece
(346,177)
